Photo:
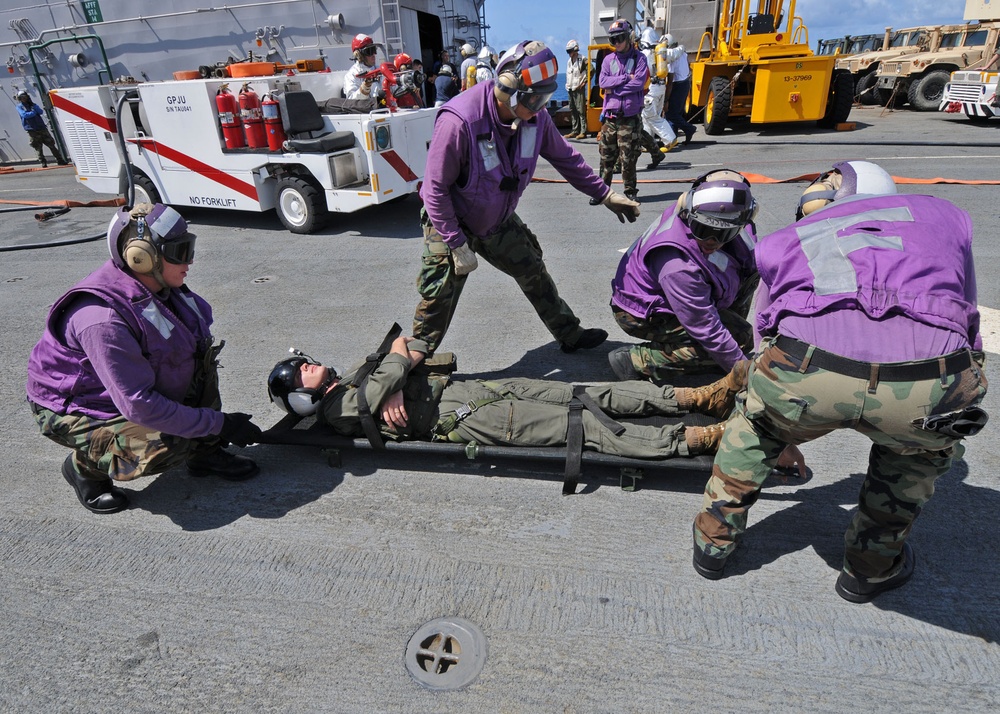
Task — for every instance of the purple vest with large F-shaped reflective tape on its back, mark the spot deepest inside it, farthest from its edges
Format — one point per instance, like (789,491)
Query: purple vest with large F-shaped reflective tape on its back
(907,255)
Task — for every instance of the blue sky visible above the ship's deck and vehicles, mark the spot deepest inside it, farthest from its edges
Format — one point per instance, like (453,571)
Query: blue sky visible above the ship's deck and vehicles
(555,22)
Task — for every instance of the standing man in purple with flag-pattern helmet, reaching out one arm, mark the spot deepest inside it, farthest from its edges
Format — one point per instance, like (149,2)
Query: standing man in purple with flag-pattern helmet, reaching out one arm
(482,156)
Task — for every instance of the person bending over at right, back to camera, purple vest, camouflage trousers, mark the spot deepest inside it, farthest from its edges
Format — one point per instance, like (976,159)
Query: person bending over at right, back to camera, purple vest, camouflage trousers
(868,318)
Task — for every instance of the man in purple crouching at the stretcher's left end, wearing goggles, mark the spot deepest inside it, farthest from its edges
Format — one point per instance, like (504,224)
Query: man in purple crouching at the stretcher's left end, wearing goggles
(125,374)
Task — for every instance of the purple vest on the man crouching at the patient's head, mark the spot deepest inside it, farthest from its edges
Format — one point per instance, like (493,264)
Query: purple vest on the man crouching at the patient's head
(61,378)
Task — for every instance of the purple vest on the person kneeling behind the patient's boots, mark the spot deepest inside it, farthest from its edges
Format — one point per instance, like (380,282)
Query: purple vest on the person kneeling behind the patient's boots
(637,290)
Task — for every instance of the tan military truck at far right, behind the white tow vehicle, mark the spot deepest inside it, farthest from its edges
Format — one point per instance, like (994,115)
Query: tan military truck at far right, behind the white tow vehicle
(920,78)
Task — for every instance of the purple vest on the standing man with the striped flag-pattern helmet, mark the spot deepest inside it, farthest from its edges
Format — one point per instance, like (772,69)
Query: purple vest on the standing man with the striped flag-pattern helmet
(480,204)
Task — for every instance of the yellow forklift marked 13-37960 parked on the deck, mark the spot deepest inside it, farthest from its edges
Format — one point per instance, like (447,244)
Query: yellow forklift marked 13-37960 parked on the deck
(758,64)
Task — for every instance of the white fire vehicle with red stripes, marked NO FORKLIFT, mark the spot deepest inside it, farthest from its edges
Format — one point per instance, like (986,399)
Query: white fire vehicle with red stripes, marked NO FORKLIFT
(188,149)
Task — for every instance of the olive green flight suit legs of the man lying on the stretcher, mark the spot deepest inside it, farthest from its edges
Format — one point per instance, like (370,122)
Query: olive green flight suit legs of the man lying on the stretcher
(535,412)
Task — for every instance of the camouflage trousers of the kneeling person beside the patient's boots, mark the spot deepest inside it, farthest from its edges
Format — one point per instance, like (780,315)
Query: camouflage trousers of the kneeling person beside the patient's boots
(669,350)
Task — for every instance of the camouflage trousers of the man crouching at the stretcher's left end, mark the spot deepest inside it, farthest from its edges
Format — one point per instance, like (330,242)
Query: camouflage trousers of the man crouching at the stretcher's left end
(124,450)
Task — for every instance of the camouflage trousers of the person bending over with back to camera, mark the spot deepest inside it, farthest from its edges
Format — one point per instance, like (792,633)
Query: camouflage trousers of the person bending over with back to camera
(788,402)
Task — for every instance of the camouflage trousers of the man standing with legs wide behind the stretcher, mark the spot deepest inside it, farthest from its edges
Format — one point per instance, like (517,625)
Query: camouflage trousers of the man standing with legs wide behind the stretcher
(511,249)
